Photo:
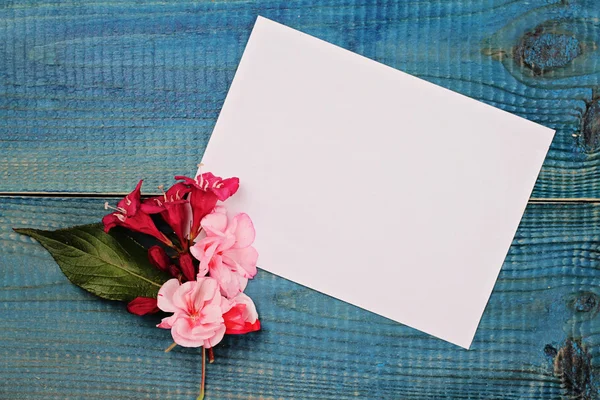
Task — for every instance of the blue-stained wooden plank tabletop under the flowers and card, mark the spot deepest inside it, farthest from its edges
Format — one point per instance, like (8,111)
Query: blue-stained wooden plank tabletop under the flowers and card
(95,95)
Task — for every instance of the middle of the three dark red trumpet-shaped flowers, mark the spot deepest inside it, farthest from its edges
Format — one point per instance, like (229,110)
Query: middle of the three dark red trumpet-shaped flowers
(174,209)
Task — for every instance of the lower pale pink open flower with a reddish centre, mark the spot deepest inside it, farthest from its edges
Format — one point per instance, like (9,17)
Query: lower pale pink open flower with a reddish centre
(197,318)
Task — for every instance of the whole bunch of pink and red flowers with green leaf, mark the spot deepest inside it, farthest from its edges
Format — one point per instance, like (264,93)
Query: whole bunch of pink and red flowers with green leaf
(181,253)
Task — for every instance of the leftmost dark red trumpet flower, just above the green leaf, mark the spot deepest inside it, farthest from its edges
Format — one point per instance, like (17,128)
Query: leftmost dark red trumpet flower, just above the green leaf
(129,214)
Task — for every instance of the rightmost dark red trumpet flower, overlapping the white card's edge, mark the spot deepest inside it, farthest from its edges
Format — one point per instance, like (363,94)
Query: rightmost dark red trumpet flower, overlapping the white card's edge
(206,189)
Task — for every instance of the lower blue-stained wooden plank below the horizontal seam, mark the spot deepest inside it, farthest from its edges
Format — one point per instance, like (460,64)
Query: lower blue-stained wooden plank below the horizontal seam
(539,337)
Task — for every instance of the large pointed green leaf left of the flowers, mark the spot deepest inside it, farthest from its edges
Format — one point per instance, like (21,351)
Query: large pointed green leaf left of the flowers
(112,266)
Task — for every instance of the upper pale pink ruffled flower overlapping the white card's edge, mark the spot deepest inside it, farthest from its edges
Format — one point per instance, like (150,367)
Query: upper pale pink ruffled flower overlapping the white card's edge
(226,251)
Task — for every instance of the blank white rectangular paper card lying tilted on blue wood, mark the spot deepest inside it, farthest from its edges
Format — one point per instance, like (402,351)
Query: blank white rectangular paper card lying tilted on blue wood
(371,185)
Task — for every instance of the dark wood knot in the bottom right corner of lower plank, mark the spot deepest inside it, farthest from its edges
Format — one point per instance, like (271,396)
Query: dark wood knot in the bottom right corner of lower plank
(573,367)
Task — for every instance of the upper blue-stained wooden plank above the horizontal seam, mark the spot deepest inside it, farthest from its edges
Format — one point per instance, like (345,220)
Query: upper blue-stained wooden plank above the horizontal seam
(96,94)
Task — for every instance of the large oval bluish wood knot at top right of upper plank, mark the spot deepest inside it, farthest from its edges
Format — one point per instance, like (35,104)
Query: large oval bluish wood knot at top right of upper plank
(542,51)
